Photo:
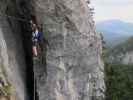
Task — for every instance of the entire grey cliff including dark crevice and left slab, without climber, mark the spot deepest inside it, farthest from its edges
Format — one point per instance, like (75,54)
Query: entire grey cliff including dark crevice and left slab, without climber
(73,69)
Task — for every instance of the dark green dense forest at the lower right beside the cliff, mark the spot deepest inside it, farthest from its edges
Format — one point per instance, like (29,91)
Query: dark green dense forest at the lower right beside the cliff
(119,82)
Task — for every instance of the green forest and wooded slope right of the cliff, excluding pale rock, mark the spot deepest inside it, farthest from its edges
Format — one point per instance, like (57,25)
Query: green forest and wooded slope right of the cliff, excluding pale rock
(118,77)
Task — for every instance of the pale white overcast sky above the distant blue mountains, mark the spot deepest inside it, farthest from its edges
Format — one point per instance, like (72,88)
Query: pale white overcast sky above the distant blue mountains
(113,9)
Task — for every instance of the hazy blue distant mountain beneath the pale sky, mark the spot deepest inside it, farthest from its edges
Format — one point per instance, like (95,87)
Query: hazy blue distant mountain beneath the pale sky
(115,31)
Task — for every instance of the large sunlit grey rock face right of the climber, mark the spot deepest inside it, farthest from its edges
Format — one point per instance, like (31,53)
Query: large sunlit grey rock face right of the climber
(74,67)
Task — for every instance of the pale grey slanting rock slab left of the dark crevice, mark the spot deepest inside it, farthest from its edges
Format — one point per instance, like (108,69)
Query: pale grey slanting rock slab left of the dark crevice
(12,59)
